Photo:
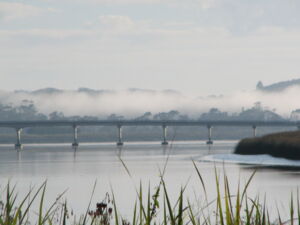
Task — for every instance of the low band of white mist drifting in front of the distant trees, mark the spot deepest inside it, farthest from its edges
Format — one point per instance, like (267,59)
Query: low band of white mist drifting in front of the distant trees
(135,102)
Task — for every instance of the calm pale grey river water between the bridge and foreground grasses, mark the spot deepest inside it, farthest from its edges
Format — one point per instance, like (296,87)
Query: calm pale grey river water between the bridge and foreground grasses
(77,171)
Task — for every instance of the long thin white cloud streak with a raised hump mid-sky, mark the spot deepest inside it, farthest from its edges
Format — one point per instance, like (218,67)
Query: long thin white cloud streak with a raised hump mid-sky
(109,26)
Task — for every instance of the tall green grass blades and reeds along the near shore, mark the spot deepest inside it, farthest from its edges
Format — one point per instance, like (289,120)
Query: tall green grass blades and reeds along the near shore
(228,208)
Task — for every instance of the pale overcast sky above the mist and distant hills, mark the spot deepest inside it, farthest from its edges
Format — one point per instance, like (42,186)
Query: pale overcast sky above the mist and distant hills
(194,46)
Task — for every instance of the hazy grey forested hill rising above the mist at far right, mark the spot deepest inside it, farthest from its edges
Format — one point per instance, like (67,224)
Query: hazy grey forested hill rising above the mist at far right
(277,87)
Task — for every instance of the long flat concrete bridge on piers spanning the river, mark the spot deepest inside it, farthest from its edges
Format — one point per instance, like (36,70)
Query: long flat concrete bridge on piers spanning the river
(19,125)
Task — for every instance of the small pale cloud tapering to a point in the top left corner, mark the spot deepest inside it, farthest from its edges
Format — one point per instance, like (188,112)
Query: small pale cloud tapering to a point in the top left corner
(12,11)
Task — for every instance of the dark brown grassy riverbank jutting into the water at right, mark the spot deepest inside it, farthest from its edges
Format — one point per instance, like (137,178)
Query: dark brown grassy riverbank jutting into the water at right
(284,145)
